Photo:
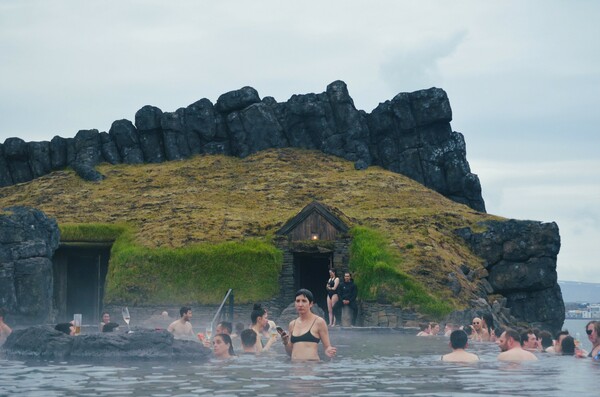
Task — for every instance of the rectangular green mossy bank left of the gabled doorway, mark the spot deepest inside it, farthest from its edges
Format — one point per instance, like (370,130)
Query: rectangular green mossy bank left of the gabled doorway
(198,274)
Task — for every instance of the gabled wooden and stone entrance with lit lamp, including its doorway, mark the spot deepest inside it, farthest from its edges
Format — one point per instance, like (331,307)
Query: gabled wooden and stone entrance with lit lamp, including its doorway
(313,241)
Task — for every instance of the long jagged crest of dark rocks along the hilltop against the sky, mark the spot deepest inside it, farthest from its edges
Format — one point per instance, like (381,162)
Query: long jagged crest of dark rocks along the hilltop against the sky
(409,134)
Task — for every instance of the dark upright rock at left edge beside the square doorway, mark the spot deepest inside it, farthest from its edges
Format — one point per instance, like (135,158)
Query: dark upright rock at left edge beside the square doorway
(28,239)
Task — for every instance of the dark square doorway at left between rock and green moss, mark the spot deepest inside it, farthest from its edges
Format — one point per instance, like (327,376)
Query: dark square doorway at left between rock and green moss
(79,277)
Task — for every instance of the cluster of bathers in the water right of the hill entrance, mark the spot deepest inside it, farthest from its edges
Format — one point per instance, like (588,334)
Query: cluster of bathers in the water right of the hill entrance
(515,345)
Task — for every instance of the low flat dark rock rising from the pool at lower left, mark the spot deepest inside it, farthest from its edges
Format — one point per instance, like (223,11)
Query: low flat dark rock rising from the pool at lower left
(43,342)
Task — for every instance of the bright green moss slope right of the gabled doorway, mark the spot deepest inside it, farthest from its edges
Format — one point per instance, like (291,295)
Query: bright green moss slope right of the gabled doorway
(378,275)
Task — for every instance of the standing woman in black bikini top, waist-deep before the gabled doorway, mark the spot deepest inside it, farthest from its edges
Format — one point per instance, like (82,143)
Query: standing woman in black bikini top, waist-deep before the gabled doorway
(305,332)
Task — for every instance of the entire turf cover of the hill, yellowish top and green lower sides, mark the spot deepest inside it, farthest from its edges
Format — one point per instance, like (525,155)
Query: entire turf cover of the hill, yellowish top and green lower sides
(216,209)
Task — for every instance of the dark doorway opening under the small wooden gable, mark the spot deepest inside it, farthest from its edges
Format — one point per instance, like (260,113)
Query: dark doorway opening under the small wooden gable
(311,271)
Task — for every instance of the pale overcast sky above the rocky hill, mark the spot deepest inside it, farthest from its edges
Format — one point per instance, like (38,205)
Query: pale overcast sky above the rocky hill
(523,78)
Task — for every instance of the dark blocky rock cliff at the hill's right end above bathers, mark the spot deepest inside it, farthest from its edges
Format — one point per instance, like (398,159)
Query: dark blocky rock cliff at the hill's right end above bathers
(520,258)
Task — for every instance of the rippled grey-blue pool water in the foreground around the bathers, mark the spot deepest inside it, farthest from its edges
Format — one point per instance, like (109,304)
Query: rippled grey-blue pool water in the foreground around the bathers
(368,364)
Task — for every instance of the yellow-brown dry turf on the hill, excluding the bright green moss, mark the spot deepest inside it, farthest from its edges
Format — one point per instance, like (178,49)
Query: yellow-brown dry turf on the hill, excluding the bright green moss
(213,199)
